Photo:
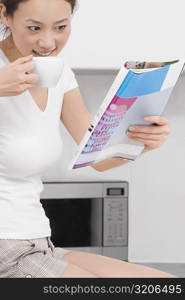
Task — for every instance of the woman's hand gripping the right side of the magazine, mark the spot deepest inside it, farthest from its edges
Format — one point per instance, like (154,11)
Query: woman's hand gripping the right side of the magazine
(153,136)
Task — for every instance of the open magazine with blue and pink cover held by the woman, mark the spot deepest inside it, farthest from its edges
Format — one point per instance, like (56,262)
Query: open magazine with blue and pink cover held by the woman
(140,89)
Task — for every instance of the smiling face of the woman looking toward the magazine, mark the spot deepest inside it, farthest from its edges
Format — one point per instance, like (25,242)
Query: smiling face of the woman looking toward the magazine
(41,28)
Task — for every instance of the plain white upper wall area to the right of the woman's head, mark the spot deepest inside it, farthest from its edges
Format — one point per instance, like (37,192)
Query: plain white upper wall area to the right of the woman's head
(107,32)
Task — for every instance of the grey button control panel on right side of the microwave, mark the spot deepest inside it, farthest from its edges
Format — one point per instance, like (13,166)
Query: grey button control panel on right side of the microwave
(115,220)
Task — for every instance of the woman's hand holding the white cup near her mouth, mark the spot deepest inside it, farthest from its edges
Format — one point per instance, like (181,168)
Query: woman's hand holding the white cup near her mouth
(15,78)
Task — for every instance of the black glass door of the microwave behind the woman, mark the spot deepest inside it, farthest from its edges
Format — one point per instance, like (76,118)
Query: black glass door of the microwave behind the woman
(75,222)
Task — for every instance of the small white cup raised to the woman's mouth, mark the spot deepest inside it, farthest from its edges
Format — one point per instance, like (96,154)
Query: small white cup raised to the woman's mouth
(49,70)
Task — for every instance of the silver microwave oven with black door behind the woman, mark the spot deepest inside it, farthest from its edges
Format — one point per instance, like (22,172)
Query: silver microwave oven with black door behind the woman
(88,216)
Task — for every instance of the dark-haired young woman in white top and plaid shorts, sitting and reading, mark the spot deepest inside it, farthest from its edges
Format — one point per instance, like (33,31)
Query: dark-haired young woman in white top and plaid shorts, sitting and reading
(30,142)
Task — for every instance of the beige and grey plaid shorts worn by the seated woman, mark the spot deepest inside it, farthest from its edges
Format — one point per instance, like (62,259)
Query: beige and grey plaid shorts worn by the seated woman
(35,258)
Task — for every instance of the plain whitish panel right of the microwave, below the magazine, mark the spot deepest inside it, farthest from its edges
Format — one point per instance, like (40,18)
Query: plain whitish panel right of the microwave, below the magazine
(157,199)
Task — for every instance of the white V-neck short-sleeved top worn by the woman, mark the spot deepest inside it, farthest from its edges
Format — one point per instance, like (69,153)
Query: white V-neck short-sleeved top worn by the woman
(30,142)
